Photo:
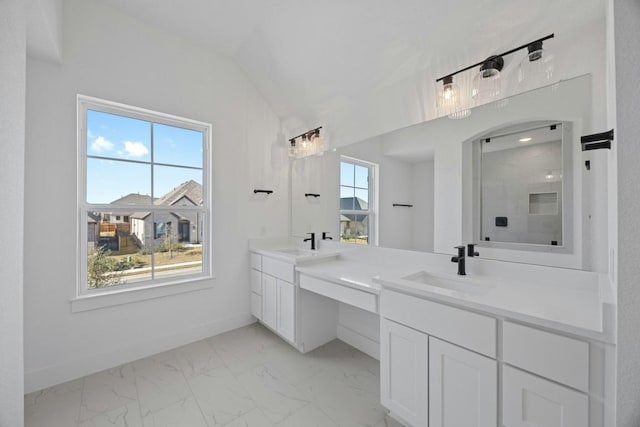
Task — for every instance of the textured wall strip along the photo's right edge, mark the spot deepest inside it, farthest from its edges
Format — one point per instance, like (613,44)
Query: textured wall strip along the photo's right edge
(627,34)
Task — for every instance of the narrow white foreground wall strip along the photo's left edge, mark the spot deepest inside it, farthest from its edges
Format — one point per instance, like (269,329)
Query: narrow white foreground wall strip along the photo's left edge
(12,135)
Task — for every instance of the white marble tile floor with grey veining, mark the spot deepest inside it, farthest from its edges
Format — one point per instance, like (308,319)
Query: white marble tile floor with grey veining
(248,377)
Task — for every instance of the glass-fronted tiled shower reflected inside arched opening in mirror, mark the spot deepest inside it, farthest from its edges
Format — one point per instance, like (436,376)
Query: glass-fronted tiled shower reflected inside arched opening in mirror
(521,186)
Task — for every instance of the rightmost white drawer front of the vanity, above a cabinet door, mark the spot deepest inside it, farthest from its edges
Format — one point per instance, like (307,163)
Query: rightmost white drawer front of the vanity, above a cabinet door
(559,358)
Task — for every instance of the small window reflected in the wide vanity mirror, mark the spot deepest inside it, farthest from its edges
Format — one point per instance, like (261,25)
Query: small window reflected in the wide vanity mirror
(357,219)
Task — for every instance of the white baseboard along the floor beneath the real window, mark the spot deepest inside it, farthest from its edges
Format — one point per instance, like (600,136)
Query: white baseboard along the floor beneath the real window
(89,364)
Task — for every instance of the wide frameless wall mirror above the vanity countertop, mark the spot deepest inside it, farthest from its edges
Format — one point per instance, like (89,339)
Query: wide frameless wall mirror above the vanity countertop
(438,184)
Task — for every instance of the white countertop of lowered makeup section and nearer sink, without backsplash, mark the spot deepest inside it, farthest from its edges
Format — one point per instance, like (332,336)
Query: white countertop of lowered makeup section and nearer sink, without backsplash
(551,305)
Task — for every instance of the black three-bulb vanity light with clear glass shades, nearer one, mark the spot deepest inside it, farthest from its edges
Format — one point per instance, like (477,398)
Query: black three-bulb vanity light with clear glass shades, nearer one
(486,84)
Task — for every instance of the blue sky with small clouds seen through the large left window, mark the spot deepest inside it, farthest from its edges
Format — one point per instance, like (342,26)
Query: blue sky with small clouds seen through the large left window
(122,138)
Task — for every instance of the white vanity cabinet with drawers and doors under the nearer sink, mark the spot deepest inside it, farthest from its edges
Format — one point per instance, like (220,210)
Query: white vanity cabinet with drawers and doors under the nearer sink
(443,366)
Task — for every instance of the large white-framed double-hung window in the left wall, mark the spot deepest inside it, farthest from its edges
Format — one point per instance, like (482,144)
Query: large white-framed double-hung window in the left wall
(151,170)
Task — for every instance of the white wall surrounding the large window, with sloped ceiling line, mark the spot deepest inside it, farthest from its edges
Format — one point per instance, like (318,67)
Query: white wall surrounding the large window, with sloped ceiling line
(112,56)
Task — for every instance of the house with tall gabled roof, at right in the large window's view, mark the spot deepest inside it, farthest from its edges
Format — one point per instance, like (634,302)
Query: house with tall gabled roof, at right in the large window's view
(182,226)
